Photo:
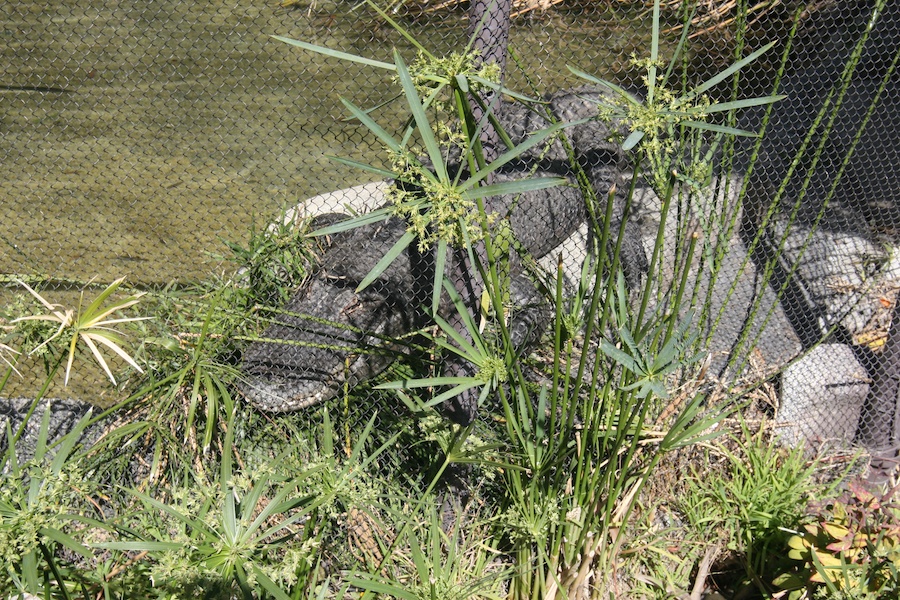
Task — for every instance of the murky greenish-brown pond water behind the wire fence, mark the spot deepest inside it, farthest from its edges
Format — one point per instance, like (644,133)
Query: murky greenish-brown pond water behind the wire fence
(138,136)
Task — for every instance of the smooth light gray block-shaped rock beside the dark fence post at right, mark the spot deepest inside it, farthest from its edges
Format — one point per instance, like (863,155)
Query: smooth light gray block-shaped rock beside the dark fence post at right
(822,394)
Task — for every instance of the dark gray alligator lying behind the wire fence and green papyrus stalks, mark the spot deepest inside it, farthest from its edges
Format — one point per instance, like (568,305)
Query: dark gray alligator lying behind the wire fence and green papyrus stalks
(329,336)
